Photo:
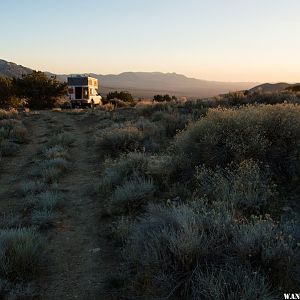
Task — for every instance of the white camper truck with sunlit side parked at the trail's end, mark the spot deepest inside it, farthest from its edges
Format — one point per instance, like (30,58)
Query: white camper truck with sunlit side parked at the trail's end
(83,91)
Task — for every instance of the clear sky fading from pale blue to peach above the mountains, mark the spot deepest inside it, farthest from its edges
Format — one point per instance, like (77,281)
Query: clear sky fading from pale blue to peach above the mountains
(227,40)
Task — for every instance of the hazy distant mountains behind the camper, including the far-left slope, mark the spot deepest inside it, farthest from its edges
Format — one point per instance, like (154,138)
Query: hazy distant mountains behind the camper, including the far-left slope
(146,84)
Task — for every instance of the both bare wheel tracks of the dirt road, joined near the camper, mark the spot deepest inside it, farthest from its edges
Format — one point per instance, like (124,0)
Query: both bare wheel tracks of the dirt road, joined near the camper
(78,257)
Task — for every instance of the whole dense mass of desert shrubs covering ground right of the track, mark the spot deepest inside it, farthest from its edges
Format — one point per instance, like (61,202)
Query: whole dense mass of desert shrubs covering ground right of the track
(205,216)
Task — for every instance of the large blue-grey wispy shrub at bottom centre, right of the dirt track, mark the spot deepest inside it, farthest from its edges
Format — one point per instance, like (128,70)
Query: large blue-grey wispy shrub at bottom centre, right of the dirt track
(166,245)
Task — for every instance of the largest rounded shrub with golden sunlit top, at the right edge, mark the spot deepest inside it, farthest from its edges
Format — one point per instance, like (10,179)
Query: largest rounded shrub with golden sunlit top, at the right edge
(266,133)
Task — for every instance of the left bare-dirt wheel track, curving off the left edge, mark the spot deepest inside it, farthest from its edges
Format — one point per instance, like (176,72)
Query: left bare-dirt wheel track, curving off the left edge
(12,169)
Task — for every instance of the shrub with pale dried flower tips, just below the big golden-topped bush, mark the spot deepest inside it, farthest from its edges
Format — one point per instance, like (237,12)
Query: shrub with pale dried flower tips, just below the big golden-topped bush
(245,187)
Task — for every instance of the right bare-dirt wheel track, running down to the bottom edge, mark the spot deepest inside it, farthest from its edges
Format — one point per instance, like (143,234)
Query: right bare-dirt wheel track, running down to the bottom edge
(79,255)
